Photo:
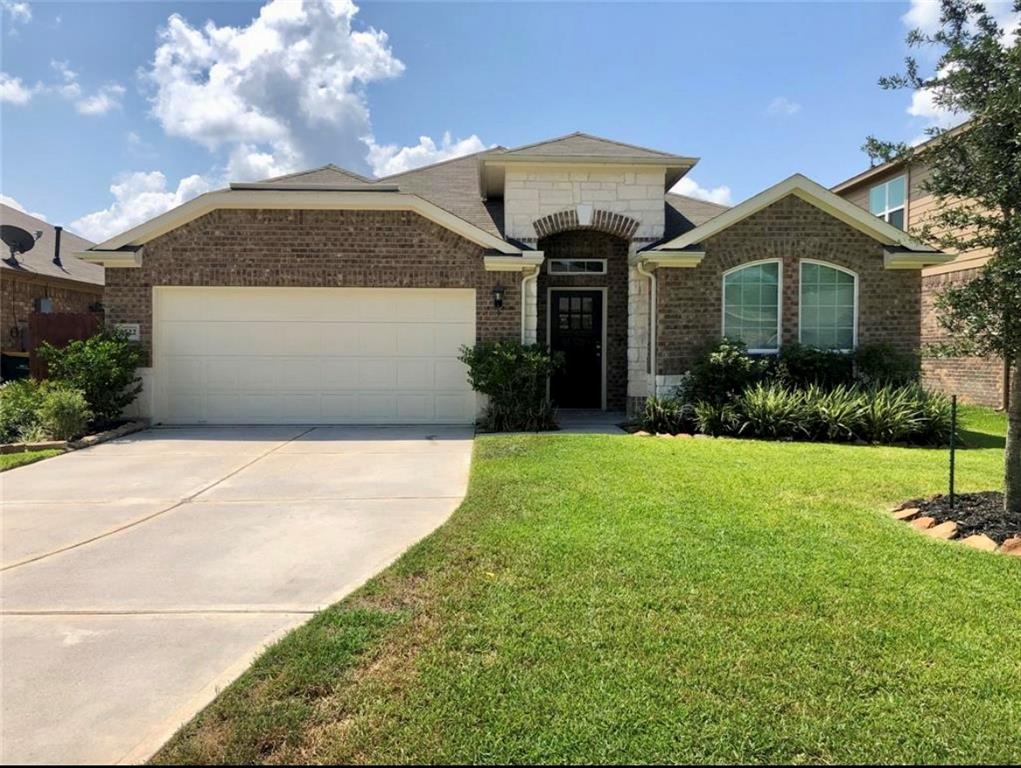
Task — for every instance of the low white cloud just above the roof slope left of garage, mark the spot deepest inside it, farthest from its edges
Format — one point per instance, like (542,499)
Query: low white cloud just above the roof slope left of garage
(137,198)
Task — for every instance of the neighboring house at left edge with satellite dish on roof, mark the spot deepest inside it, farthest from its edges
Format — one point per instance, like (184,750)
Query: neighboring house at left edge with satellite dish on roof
(47,279)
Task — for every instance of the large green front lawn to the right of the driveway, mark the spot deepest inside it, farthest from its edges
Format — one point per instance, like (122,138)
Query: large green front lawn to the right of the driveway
(603,599)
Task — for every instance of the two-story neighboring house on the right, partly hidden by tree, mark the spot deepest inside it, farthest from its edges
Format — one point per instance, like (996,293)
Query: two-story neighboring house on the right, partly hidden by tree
(895,191)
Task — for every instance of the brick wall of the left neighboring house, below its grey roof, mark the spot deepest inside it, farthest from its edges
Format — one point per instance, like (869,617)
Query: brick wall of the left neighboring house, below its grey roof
(18,298)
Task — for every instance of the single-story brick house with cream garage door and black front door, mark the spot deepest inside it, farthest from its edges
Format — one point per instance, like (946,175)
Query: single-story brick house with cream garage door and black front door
(328,298)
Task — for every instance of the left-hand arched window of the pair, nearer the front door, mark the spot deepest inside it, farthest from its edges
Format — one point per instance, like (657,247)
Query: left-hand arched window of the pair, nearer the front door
(752,306)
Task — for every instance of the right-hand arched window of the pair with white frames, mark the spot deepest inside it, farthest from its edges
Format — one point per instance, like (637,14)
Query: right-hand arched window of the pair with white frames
(829,307)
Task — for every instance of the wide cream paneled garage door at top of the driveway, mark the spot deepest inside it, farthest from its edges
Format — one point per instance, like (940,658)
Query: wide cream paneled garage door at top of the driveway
(312,356)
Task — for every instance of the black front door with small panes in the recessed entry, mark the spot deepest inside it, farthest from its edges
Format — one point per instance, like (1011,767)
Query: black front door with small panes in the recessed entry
(576,330)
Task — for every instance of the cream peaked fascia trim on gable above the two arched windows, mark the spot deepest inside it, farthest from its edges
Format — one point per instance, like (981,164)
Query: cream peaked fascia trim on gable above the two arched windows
(812,194)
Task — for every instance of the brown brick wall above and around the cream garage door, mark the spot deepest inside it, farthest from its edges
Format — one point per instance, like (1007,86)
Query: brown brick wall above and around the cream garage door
(313,249)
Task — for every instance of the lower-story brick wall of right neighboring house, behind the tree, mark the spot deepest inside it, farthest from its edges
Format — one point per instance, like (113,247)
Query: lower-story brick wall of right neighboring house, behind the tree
(975,379)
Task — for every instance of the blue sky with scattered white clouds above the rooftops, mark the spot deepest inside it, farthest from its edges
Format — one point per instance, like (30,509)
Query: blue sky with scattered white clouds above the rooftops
(113,113)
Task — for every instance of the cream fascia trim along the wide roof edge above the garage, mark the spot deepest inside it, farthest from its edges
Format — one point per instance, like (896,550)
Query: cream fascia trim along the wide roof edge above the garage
(304,201)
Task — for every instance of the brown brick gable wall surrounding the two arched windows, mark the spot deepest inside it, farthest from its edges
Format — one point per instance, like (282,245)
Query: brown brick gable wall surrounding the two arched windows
(691,300)
